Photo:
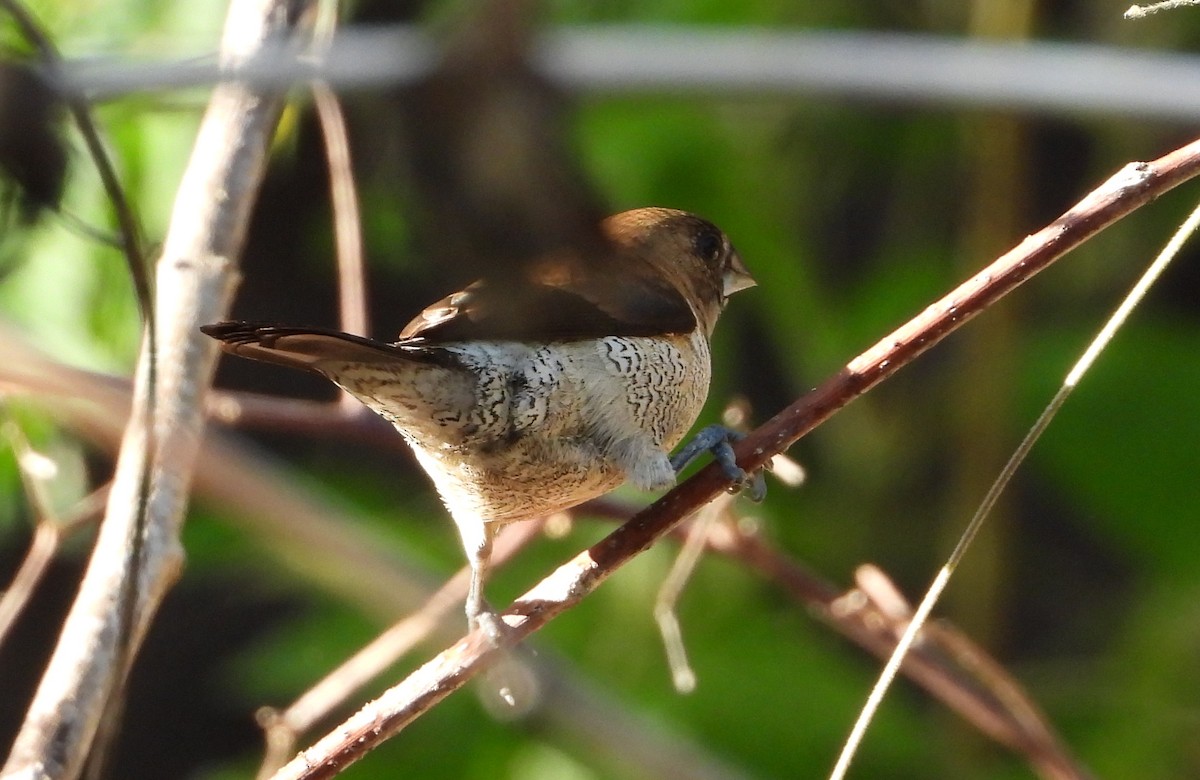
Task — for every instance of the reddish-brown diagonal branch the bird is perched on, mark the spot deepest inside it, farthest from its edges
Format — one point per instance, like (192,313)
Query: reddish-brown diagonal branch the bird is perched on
(1133,187)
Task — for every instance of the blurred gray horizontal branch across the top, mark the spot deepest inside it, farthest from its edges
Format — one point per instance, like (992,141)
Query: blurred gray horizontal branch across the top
(1041,76)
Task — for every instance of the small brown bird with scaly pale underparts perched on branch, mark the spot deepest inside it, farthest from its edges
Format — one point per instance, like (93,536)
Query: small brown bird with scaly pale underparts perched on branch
(527,397)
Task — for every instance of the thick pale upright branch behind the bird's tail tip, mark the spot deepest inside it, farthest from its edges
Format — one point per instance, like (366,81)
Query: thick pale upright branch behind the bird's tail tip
(195,279)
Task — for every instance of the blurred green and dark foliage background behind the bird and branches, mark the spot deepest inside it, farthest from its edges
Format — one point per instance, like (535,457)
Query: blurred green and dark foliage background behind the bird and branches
(854,208)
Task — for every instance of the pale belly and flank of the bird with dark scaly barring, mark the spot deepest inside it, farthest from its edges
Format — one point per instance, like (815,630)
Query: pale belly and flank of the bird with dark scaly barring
(512,431)
